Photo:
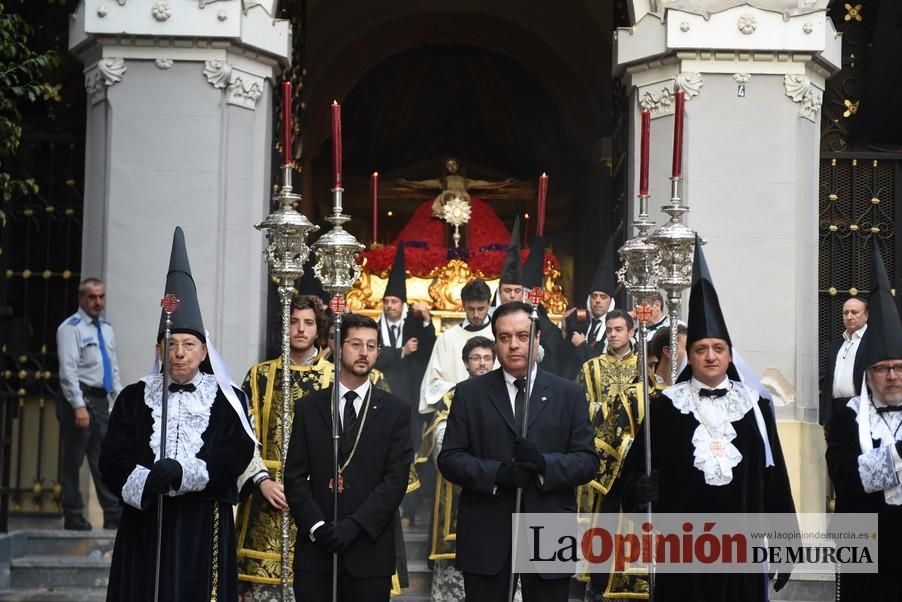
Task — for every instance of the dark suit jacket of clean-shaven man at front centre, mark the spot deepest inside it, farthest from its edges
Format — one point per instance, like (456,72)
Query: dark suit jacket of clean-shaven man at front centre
(480,437)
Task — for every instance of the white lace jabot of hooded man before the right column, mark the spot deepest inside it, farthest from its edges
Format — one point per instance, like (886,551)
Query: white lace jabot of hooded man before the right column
(715,455)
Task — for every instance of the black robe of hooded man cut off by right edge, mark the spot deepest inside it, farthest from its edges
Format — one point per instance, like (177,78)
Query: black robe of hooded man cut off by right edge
(843,449)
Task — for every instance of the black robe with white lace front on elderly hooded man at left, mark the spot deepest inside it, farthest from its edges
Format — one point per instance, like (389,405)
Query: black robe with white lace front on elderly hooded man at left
(190,561)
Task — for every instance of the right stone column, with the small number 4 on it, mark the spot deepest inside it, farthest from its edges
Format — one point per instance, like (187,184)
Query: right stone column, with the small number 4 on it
(753,74)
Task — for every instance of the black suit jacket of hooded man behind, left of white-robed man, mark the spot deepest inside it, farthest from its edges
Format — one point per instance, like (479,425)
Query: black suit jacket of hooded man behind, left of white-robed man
(404,375)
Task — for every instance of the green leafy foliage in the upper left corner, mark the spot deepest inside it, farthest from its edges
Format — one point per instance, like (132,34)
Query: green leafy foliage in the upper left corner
(21,80)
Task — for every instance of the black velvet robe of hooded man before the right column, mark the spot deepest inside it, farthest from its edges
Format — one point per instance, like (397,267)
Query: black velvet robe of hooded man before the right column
(754,488)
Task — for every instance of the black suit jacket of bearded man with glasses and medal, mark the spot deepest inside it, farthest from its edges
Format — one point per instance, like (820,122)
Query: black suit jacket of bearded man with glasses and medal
(375,481)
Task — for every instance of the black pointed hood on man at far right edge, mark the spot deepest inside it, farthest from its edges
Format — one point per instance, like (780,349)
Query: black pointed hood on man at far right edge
(883,338)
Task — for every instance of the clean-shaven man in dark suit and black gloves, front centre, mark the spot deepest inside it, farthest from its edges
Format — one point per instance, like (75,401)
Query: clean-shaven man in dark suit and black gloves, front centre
(484,453)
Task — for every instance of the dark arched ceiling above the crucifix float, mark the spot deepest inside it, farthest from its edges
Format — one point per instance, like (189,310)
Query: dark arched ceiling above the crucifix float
(566,49)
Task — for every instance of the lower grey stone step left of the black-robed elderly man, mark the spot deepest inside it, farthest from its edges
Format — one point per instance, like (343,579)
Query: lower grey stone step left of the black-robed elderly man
(58,572)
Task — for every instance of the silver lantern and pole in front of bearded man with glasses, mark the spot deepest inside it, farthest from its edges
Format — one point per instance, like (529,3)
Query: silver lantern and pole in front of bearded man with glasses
(337,270)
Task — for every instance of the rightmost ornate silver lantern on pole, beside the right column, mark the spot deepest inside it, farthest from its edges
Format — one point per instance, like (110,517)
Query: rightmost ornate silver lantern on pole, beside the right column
(676,244)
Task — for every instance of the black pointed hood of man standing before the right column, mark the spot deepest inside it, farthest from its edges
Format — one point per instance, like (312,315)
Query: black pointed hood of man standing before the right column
(705,316)
